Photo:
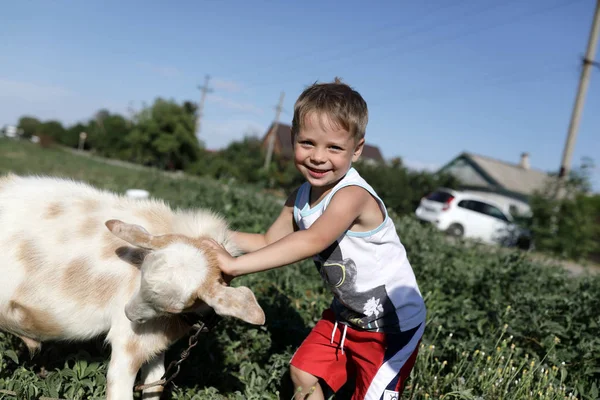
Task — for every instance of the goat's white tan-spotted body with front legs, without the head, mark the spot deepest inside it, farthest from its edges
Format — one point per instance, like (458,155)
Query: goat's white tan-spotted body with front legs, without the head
(65,276)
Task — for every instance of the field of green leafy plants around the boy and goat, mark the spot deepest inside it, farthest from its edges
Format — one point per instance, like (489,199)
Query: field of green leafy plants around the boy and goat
(499,325)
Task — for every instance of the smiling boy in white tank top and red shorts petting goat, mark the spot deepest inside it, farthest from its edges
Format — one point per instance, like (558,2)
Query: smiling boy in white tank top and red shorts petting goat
(377,318)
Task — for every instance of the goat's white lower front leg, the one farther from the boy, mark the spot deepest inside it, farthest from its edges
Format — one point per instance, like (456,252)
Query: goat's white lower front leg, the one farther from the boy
(122,370)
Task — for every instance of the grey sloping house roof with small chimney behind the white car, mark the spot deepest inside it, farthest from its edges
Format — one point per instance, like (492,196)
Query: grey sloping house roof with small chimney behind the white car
(512,177)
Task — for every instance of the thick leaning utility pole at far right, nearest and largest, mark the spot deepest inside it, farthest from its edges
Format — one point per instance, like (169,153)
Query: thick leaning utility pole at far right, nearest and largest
(588,62)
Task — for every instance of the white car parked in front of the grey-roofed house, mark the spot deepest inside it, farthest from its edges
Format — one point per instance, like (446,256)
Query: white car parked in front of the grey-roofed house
(468,215)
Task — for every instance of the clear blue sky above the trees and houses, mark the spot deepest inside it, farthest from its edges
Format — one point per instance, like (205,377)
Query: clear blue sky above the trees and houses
(440,77)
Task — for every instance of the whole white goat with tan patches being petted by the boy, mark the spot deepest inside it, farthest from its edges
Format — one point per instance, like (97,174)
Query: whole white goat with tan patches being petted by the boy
(65,276)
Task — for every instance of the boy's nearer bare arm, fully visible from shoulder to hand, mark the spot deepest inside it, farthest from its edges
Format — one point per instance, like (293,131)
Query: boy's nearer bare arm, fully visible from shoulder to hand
(345,207)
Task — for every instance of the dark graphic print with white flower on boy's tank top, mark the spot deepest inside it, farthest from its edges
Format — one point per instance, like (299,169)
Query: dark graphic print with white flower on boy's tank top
(368,310)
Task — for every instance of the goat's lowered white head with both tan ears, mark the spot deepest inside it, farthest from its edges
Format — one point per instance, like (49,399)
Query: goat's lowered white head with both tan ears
(179,274)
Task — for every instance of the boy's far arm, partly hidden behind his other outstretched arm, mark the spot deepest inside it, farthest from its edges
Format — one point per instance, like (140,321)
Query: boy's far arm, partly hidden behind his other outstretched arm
(283,225)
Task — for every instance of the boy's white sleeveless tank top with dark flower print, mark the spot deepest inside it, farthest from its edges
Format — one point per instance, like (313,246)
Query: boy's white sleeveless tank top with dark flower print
(373,283)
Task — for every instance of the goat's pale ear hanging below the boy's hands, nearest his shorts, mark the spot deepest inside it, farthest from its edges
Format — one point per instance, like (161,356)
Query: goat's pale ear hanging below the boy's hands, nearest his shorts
(238,302)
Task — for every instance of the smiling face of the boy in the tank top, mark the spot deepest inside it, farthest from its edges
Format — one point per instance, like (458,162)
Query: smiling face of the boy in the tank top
(323,151)
